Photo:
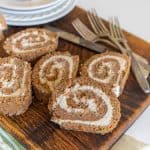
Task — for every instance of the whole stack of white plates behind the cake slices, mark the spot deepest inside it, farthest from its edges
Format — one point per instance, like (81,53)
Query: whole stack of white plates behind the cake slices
(34,12)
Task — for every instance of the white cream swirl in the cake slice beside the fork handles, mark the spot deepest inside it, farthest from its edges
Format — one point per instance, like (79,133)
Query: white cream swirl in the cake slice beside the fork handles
(122,63)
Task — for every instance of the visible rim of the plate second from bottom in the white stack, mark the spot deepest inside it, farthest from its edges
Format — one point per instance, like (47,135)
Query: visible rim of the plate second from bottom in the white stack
(38,16)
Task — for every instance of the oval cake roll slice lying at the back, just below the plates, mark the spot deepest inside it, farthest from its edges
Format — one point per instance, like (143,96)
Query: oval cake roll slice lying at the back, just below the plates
(31,43)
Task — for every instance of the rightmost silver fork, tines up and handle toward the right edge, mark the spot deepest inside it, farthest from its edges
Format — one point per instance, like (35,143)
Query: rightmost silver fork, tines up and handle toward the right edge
(117,36)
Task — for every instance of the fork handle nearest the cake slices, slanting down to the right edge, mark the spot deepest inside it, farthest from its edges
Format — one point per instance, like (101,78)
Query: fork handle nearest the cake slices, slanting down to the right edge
(135,68)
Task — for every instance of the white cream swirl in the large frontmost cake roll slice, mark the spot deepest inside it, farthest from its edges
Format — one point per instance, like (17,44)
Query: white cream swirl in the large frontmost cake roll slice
(61,101)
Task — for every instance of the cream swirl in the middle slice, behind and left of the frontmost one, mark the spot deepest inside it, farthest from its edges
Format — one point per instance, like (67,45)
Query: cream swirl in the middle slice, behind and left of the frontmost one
(60,66)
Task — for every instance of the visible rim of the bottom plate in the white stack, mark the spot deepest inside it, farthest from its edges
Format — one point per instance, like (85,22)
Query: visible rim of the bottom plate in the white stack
(48,19)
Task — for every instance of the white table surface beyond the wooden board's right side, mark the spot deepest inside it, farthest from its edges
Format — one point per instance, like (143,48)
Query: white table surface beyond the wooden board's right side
(134,16)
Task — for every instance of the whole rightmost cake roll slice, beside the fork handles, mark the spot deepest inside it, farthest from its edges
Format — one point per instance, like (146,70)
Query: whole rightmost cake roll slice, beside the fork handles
(110,68)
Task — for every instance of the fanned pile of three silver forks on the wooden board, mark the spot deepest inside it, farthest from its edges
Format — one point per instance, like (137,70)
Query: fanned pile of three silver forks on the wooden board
(114,37)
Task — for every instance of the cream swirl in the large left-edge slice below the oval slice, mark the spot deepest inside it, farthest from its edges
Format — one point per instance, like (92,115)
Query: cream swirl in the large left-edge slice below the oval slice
(15,78)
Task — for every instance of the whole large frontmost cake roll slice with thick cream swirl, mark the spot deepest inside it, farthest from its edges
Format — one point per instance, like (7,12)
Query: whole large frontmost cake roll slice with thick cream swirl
(85,105)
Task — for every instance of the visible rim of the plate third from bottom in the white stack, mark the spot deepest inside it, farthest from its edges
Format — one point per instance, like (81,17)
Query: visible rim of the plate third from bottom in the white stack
(27,12)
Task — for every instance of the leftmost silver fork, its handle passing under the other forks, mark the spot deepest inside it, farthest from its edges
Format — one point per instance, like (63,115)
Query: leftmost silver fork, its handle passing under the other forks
(87,34)
